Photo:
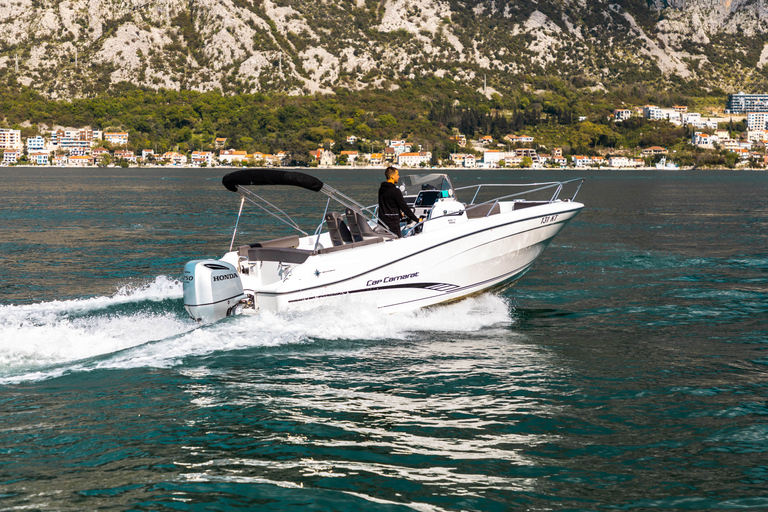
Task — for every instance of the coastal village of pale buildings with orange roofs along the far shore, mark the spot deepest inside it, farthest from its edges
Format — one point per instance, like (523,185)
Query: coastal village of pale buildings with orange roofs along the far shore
(84,147)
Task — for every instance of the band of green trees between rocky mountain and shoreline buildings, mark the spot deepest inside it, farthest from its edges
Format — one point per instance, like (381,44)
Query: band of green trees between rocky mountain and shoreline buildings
(425,112)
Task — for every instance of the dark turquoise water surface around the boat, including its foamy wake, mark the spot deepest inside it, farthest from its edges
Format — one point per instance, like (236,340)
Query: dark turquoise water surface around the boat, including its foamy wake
(626,371)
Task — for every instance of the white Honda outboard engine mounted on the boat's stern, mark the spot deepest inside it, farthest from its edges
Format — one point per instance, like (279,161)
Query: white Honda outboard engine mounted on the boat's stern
(212,290)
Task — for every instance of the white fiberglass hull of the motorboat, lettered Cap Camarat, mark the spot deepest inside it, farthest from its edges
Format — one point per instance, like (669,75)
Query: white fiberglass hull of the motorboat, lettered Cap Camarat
(417,271)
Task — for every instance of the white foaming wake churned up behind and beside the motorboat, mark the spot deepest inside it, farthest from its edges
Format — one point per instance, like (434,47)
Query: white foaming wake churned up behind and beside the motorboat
(147,327)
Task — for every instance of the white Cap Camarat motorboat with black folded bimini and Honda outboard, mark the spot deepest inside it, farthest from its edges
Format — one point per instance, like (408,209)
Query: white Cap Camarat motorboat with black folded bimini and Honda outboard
(458,249)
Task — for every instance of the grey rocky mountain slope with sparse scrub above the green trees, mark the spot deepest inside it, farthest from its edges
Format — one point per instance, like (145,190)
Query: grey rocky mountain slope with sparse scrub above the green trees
(77,48)
